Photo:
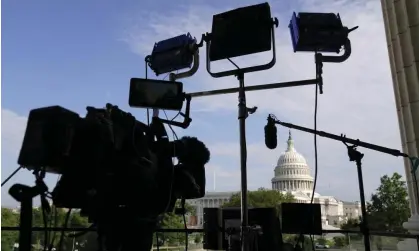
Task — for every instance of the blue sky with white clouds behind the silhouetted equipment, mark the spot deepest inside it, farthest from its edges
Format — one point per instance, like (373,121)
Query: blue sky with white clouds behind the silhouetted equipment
(83,53)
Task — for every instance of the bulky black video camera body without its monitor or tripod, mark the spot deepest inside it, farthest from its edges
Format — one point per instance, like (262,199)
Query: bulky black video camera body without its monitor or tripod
(109,160)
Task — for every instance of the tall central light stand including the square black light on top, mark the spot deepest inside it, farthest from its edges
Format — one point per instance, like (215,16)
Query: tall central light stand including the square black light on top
(222,44)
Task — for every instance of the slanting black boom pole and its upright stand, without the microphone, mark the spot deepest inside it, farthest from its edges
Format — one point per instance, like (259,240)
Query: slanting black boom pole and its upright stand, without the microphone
(354,155)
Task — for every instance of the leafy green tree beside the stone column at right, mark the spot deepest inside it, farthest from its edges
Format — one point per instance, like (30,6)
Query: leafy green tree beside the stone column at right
(389,206)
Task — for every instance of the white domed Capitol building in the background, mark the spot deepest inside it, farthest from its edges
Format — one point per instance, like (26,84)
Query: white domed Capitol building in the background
(291,175)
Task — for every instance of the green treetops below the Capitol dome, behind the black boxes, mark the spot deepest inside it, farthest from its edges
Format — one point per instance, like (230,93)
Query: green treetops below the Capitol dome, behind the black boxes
(261,198)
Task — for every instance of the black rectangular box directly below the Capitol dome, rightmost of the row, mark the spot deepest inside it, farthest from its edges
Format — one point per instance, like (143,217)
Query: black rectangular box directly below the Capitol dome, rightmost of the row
(301,218)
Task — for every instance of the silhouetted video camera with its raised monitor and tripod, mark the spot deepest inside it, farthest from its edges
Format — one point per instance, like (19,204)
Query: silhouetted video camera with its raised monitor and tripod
(110,164)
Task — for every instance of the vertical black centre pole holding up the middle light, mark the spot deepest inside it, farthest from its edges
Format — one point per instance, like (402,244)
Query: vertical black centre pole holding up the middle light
(243,113)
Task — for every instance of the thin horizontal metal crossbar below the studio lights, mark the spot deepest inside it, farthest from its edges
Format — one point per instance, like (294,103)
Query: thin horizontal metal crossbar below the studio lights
(255,88)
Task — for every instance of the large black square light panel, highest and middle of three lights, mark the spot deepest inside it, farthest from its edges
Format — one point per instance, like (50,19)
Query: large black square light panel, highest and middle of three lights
(241,32)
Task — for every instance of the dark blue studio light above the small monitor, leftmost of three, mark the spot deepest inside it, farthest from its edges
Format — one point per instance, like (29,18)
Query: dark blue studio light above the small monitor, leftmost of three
(172,54)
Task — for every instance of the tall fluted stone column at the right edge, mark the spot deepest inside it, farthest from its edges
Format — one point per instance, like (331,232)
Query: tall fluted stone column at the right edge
(401,20)
